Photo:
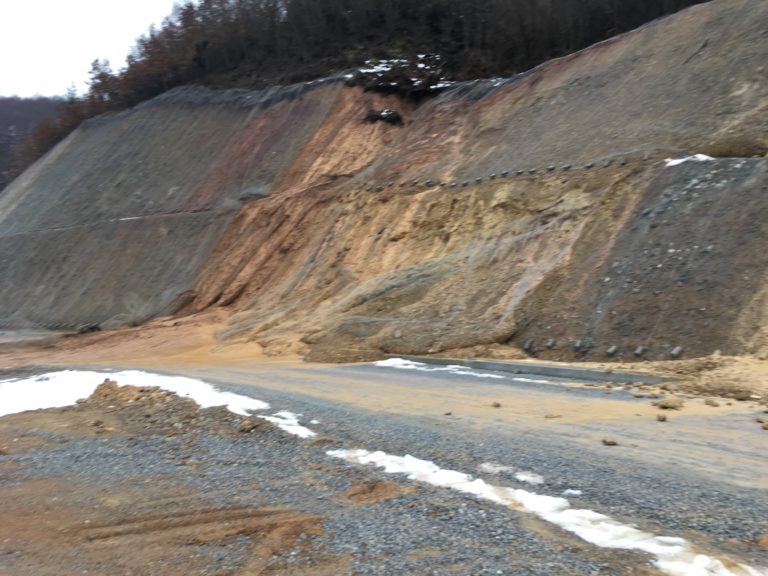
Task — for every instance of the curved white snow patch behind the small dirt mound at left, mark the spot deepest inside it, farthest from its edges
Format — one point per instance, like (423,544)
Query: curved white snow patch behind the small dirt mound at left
(56,389)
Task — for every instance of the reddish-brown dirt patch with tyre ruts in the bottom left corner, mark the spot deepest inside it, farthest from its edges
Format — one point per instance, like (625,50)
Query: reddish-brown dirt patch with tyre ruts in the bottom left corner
(61,524)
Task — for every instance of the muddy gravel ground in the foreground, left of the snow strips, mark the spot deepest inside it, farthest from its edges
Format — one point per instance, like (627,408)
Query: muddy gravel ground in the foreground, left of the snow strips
(140,481)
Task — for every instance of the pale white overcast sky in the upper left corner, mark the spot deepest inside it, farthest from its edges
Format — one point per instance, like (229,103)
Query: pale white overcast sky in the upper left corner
(46,45)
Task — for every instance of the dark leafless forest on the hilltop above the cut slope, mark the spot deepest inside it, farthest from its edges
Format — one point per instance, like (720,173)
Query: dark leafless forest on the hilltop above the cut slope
(254,43)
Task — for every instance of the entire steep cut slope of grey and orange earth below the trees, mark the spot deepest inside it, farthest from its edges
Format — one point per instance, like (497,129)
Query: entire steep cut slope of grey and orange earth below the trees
(535,213)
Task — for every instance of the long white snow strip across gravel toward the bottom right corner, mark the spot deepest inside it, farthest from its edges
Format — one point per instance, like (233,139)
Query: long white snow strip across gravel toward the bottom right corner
(674,556)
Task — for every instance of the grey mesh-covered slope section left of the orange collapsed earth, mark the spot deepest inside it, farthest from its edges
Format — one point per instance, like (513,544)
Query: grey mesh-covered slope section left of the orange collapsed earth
(112,226)
